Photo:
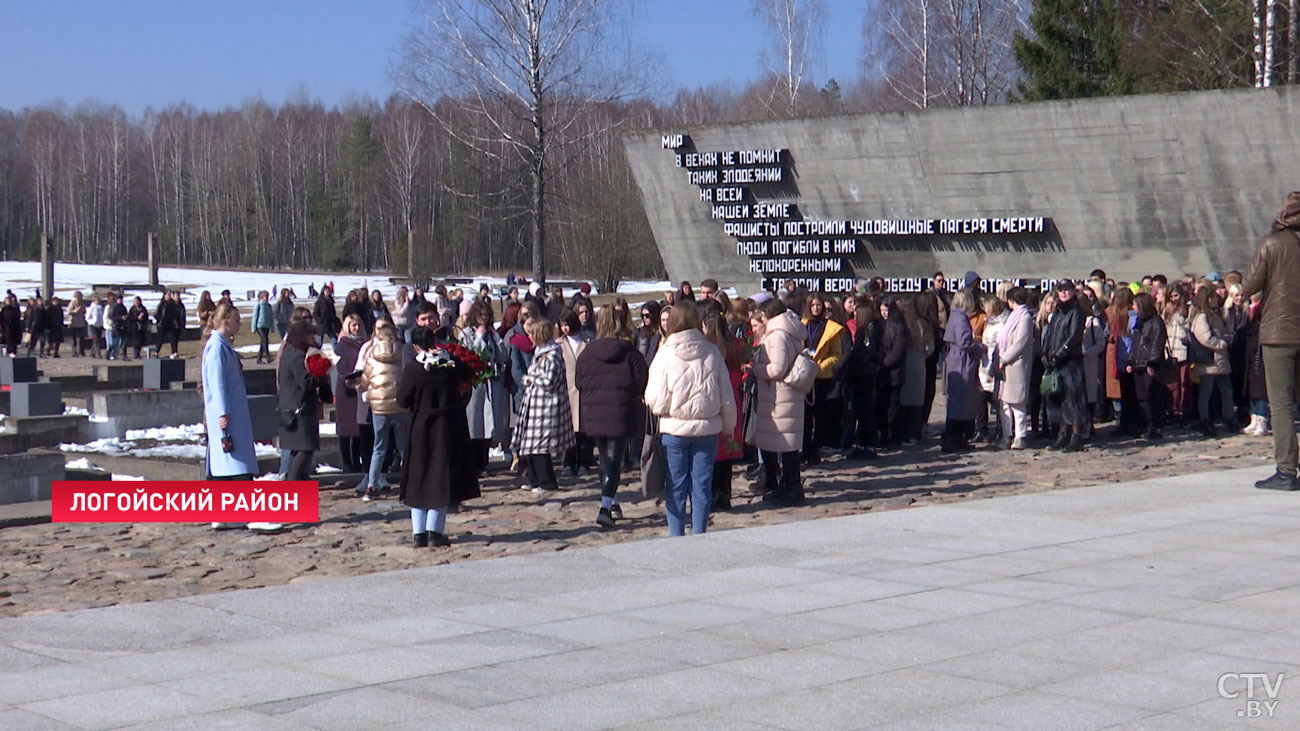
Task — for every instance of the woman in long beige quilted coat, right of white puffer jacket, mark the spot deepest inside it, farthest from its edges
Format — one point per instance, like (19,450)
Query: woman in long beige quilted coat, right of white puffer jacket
(779,430)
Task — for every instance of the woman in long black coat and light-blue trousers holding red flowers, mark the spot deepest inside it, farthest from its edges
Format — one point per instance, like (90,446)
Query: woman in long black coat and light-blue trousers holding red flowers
(441,470)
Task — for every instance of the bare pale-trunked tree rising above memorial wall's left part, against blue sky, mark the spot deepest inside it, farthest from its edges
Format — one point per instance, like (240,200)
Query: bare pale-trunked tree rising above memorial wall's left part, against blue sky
(798,28)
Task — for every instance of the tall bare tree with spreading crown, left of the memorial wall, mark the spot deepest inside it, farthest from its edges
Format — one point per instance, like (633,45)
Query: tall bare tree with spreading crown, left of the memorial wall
(525,72)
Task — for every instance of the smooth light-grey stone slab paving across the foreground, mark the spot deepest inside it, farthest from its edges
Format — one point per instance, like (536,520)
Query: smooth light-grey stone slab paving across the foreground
(1119,605)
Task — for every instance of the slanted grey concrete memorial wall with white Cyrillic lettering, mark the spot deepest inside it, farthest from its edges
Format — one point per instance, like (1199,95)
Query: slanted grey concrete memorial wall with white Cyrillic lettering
(1175,184)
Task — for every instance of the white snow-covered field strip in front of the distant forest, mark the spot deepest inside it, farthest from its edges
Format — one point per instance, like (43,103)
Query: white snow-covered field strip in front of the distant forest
(24,279)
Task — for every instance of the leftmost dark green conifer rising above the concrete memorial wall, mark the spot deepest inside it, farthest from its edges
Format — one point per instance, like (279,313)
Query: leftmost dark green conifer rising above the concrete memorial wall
(1077,51)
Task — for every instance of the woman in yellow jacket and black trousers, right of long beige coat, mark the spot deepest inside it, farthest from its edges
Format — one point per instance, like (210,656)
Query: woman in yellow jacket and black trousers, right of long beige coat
(825,421)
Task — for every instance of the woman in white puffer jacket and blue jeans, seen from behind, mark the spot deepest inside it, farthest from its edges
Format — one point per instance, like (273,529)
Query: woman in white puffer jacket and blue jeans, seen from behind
(691,392)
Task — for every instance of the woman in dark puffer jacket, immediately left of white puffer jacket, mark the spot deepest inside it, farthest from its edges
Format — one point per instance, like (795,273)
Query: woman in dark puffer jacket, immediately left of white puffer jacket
(612,380)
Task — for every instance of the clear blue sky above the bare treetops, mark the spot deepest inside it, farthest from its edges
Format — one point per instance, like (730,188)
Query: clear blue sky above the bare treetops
(141,54)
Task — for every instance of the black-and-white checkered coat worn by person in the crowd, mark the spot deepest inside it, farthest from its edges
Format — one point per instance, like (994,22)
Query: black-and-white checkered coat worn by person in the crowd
(545,418)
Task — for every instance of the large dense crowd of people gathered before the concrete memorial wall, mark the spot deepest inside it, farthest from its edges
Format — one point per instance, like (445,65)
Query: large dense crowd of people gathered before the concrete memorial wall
(703,383)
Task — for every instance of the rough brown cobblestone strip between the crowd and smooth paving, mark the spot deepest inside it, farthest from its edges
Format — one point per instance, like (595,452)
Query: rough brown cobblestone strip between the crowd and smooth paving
(58,568)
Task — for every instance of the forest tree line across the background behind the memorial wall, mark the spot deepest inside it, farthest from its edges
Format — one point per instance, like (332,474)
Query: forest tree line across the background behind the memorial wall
(419,184)
